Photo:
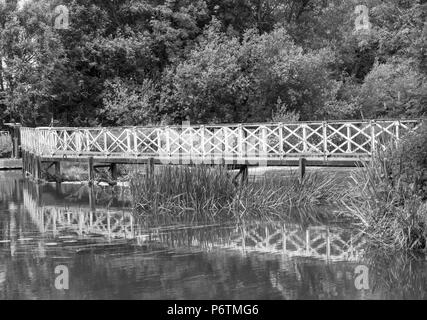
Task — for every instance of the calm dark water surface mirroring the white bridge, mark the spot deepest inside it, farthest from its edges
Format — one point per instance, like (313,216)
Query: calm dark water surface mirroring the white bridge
(110,255)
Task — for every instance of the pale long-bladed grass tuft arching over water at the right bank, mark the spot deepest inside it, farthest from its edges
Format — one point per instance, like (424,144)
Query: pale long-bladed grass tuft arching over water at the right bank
(387,207)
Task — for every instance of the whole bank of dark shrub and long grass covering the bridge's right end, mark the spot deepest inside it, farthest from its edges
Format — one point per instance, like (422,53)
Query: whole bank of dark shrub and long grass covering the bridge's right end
(388,196)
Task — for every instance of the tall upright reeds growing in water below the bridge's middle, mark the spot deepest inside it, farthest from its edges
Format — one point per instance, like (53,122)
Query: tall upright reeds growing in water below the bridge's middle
(212,193)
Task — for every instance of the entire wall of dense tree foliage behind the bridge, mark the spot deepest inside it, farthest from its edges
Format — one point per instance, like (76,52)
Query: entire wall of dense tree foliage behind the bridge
(128,62)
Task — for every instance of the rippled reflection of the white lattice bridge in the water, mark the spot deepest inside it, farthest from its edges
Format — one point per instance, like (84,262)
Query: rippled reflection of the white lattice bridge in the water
(80,214)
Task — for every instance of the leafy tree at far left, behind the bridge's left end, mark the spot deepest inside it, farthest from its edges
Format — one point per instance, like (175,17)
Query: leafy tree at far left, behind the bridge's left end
(33,58)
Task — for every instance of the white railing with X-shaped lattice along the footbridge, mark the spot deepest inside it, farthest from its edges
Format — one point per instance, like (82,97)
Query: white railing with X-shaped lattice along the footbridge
(255,143)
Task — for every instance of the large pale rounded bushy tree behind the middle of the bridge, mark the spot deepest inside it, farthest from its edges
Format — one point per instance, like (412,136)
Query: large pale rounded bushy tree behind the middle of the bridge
(227,80)
